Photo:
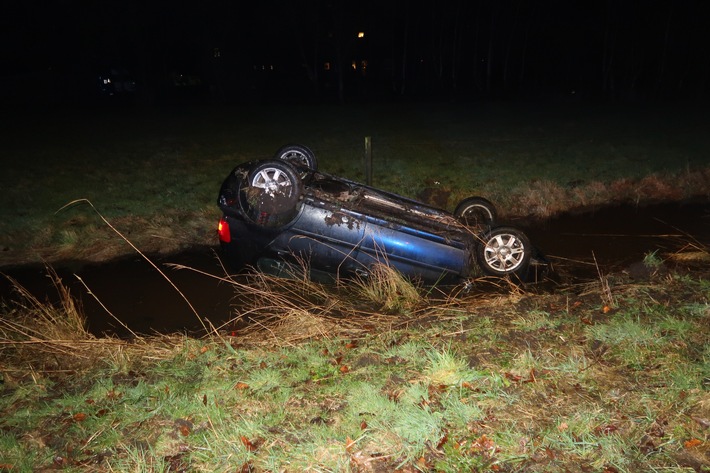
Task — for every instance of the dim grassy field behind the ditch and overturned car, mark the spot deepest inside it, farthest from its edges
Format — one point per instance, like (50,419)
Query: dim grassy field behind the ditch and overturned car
(155,173)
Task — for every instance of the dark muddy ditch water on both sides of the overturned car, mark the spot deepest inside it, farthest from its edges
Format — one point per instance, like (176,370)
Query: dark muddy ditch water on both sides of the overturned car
(577,244)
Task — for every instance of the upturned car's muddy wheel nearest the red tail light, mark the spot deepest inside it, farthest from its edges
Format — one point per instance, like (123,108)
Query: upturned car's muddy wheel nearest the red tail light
(271,195)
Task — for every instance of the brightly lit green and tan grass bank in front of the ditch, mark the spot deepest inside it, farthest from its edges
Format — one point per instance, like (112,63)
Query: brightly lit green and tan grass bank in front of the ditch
(497,382)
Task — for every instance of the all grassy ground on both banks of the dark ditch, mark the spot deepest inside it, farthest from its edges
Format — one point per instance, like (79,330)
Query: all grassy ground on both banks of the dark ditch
(608,376)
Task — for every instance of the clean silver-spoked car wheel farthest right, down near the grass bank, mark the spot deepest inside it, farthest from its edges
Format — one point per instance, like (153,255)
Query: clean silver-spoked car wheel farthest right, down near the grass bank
(504,251)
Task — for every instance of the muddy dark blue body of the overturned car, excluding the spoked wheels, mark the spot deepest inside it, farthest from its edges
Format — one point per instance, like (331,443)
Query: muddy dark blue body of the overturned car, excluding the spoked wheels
(342,228)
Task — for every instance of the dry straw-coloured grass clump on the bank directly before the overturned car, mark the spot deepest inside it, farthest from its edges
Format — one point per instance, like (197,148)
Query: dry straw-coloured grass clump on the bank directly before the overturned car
(283,311)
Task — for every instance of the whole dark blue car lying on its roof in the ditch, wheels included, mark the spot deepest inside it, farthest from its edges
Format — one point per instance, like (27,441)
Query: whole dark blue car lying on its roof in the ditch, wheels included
(281,215)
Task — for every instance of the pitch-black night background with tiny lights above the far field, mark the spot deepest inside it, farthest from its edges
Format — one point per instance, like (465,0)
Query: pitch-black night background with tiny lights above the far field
(234,51)
